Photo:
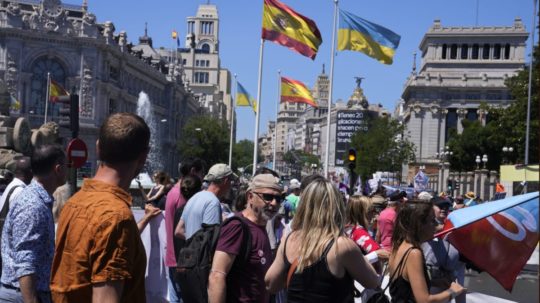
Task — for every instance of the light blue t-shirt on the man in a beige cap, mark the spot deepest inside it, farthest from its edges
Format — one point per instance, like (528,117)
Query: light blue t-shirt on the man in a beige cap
(203,207)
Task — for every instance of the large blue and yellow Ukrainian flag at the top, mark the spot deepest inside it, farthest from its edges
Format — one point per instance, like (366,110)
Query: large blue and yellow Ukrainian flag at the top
(360,35)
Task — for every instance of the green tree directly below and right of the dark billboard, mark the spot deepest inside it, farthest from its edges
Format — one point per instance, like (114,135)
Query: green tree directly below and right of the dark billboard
(381,148)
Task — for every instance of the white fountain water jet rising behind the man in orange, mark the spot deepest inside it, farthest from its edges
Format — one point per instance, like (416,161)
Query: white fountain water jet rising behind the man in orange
(144,109)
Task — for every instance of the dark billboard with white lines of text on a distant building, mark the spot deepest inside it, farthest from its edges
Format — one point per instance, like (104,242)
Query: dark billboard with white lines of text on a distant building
(347,123)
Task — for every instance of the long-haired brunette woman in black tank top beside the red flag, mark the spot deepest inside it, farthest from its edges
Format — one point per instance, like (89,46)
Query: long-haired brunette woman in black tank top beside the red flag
(409,281)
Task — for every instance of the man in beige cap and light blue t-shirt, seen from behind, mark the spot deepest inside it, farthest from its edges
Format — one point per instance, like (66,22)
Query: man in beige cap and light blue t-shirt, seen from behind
(204,207)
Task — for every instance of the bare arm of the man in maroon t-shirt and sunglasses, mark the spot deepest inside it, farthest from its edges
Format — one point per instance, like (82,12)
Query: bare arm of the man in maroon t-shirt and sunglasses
(217,281)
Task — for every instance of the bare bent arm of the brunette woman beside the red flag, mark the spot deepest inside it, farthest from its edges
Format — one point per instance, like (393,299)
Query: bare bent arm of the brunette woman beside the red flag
(414,268)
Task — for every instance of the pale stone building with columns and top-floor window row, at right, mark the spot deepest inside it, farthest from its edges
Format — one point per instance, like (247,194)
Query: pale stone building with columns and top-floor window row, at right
(461,68)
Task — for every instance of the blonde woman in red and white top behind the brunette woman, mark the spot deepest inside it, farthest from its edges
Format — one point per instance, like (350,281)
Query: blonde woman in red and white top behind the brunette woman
(357,218)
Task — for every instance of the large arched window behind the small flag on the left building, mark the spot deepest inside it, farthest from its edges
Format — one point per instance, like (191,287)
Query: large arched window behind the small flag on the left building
(38,85)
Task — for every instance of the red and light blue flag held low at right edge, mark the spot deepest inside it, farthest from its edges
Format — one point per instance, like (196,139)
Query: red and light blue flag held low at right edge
(502,241)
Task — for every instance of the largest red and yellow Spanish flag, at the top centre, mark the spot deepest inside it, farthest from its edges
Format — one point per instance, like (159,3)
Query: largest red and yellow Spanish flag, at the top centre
(284,26)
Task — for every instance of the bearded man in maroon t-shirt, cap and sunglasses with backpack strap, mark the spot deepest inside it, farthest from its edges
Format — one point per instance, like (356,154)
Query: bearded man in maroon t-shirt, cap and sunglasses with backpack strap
(232,281)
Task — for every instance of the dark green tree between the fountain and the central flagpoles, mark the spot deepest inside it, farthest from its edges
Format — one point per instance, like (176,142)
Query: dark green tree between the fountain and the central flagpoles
(205,137)
